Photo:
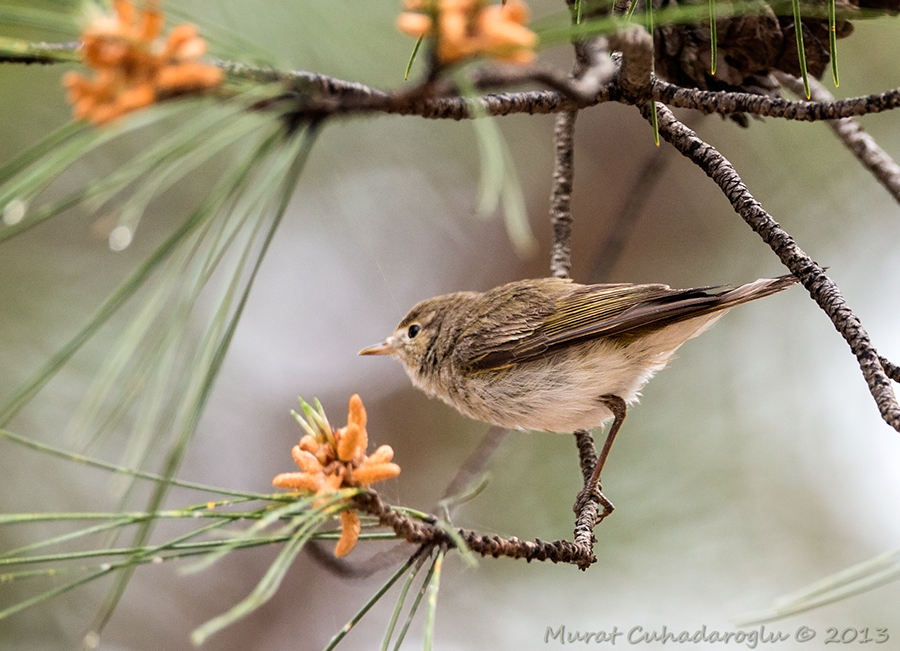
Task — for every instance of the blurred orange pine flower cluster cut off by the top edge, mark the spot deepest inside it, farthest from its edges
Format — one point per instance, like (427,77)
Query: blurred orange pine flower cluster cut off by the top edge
(468,28)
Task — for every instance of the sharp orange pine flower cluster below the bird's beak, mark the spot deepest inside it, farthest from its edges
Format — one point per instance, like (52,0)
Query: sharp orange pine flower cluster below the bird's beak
(331,460)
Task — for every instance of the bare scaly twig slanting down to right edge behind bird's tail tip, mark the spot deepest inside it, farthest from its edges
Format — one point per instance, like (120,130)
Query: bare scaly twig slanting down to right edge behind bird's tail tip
(821,288)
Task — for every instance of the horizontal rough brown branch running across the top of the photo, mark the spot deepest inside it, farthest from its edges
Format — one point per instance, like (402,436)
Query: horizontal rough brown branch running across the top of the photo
(339,97)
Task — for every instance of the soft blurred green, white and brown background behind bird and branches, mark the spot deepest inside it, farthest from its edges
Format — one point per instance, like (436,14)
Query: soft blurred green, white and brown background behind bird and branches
(755,464)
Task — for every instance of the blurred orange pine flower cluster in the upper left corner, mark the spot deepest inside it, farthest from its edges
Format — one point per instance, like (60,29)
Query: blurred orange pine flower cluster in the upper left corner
(134,66)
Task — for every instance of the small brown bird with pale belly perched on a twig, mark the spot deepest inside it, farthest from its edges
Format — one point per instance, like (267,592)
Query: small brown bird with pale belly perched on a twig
(552,355)
